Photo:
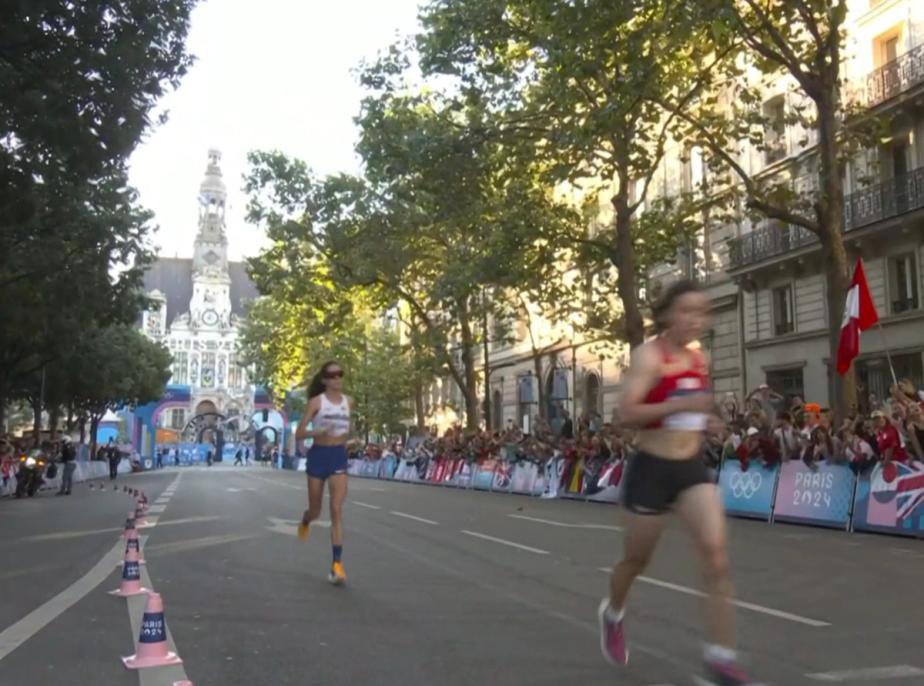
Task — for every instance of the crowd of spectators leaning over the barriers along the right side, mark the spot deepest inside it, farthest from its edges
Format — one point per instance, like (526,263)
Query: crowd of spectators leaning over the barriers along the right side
(763,428)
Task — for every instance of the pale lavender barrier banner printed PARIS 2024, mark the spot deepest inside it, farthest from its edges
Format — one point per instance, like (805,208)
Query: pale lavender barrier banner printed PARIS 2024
(822,496)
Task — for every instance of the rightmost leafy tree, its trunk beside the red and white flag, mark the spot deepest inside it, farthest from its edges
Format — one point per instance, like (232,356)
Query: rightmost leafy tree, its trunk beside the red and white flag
(802,41)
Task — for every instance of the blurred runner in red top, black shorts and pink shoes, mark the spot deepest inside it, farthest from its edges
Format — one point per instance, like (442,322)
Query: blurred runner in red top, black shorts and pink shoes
(667,396)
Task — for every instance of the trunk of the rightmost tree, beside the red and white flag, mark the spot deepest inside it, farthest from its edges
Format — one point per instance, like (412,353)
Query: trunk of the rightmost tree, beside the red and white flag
(834,252)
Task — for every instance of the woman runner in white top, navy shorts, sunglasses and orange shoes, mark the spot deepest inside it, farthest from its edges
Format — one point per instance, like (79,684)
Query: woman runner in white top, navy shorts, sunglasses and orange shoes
(329,412)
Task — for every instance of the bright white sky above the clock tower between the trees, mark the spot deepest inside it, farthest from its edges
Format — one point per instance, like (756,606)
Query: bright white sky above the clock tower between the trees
(270,74)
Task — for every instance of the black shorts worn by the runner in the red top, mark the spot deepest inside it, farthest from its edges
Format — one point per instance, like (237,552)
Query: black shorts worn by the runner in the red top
(653,483)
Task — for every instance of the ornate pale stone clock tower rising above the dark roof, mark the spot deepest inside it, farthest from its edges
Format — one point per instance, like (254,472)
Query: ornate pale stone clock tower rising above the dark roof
(210,306)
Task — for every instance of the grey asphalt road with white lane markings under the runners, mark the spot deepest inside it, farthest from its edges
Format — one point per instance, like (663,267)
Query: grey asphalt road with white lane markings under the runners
(445,587)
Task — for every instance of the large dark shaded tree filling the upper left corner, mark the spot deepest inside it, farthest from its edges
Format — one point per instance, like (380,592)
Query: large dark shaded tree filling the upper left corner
(78,85)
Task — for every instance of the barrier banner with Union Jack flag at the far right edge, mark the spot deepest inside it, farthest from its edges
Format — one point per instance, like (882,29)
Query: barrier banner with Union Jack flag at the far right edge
(893,506)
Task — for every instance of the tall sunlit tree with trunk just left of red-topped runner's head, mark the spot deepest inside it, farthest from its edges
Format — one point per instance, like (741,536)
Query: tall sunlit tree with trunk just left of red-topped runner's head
(579,84)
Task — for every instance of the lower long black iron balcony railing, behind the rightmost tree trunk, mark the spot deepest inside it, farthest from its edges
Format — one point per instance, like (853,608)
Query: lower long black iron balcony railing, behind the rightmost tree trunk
(891,198)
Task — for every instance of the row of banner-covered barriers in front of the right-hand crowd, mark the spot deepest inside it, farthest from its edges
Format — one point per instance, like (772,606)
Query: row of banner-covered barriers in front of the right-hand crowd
(826,495)
